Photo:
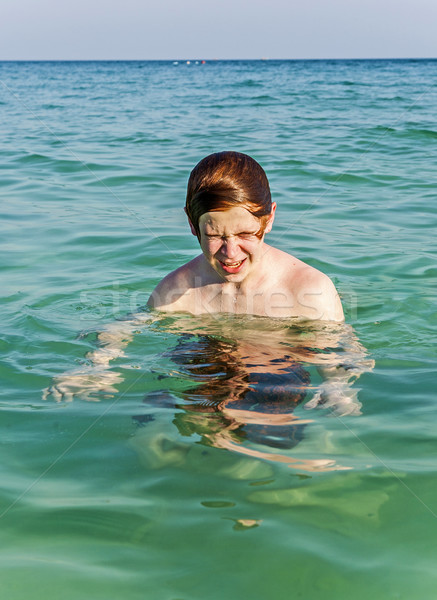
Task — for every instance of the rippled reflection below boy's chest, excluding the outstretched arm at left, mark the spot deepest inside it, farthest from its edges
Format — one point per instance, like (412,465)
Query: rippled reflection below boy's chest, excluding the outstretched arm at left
(242,392)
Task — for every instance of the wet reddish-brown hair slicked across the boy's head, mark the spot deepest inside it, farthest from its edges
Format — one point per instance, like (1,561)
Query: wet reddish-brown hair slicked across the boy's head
(226,179)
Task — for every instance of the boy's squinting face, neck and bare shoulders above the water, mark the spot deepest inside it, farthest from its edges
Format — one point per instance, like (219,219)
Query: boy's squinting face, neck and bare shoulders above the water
(239,273)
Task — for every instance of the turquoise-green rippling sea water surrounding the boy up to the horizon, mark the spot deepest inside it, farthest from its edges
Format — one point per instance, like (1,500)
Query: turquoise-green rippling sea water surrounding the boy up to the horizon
(148,489)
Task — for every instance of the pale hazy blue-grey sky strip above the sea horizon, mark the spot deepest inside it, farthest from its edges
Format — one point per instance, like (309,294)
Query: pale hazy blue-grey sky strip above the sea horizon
(222,29)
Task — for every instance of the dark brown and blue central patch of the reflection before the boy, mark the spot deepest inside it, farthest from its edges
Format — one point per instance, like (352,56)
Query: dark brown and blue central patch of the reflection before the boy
(232,400)
